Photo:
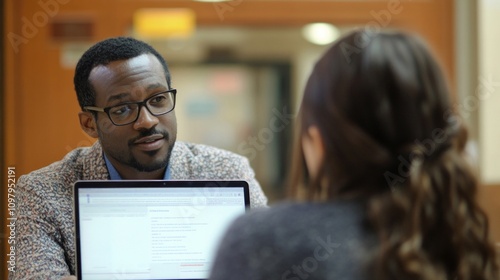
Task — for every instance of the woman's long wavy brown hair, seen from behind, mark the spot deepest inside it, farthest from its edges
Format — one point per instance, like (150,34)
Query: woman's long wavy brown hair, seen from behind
(383,110)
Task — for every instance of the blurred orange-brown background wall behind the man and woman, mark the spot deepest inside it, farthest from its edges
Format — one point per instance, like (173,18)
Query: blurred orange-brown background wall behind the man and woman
(239,67)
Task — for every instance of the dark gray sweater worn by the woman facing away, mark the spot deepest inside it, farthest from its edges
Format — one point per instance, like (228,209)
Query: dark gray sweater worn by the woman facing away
(298,241)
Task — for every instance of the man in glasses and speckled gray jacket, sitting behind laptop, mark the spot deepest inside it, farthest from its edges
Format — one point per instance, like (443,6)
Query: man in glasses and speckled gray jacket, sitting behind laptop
(124,89)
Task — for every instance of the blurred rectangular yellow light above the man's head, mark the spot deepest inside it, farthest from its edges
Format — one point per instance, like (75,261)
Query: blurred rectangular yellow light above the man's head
(163,23)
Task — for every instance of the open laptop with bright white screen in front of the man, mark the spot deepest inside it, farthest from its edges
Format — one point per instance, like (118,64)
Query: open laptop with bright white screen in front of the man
(153,229)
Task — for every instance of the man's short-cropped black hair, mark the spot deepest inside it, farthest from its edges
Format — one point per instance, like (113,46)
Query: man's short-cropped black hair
(104,52)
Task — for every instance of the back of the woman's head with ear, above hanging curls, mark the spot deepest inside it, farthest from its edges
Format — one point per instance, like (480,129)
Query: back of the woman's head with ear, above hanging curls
(370,100)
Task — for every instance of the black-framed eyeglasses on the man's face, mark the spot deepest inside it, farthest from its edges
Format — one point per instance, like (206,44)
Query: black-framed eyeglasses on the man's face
(127,113)
